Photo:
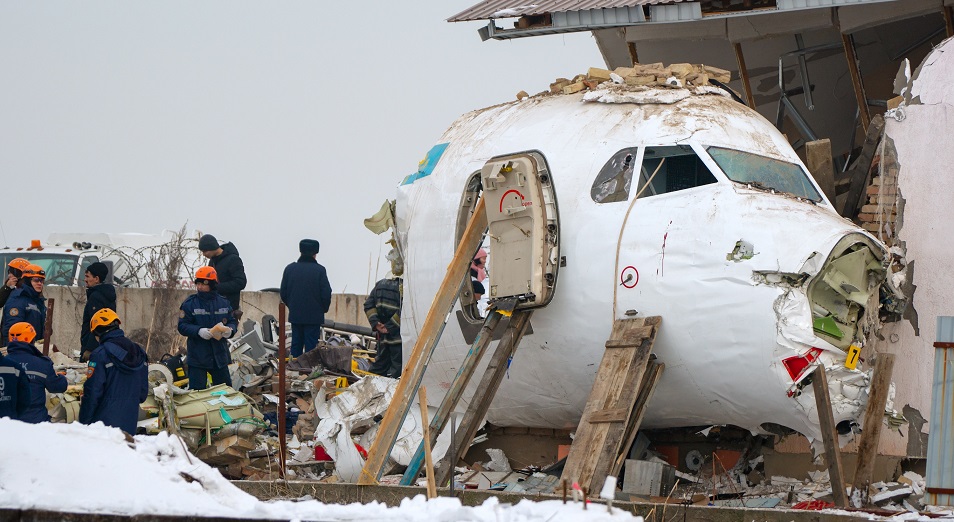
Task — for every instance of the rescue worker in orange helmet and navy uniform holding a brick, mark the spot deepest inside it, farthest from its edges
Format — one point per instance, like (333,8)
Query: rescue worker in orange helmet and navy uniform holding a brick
(206,319)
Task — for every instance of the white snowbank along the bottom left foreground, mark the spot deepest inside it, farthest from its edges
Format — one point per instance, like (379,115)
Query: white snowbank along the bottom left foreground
(92,469)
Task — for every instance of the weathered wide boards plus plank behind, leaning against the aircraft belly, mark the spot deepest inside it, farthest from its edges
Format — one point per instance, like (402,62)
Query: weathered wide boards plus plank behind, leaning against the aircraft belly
(625,382)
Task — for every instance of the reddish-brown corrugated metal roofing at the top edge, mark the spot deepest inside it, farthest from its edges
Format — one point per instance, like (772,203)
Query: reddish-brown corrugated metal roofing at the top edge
(513,8)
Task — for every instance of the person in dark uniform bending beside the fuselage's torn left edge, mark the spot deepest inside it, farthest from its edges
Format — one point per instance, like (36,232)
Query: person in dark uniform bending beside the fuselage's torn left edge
(383,308)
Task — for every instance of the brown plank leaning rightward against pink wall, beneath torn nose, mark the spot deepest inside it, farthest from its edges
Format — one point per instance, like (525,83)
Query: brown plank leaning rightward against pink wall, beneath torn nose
(874,419)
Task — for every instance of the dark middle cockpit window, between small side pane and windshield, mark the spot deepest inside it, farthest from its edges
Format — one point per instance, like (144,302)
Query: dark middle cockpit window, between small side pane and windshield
(668,169)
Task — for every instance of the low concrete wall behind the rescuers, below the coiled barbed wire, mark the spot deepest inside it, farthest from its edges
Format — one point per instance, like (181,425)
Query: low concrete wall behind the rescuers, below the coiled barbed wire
(150,315)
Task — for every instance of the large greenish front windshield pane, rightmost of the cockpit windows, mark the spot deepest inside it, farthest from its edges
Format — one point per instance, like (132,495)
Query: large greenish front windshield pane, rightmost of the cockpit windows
(766,173)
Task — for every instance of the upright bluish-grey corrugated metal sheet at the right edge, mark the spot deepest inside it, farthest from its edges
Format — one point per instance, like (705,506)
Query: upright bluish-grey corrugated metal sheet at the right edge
(940,461)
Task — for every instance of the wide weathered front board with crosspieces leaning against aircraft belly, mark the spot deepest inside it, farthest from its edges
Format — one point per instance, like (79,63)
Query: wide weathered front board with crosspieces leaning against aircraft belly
(616,386)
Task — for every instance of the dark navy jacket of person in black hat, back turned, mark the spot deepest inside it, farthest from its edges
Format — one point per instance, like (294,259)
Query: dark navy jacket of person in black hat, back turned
(306,291)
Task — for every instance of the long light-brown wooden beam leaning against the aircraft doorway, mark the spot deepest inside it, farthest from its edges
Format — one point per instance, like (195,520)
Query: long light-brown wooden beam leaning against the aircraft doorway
(427,339)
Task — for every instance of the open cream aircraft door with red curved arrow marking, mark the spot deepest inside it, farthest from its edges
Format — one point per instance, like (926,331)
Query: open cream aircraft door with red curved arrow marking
(523,233)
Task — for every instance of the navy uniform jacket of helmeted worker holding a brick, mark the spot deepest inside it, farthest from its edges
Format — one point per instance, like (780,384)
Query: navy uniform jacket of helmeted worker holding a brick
(204,310)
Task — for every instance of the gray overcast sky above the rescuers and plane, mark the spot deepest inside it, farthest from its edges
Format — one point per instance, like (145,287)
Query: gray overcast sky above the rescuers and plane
(261,123)
